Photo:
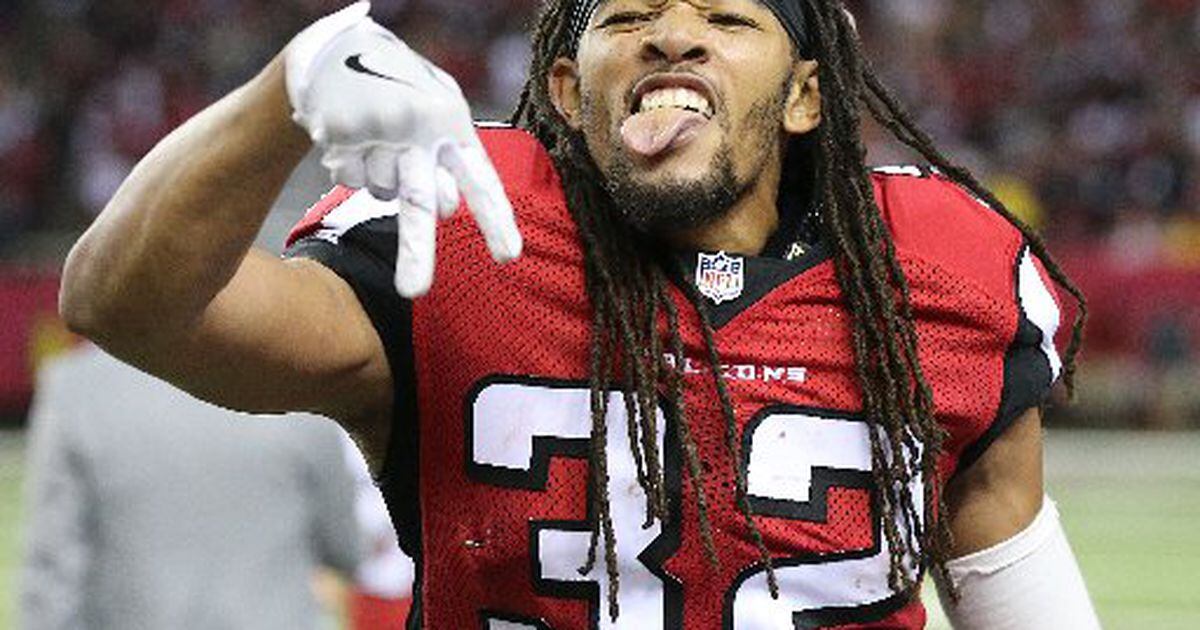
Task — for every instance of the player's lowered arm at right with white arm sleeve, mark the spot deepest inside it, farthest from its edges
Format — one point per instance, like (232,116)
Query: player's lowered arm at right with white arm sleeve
(1013,567)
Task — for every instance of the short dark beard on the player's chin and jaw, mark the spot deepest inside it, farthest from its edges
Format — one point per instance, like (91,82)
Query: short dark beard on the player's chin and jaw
(679,205)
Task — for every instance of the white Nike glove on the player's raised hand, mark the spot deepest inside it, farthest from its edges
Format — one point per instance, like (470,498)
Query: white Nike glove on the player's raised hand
(387,119)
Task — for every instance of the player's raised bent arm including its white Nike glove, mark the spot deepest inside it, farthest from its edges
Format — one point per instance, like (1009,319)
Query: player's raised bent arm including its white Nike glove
(166,278)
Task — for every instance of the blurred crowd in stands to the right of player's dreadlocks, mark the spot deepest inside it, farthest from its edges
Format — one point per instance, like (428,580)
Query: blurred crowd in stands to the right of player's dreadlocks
(1083,115)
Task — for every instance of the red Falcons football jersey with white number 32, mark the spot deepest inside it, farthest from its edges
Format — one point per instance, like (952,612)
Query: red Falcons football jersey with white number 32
(488,472)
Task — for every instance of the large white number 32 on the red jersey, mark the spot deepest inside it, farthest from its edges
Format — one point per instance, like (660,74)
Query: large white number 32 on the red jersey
(794,458)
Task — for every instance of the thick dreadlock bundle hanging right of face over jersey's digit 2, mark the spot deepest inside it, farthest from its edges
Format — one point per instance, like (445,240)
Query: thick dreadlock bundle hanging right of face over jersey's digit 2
(884,370)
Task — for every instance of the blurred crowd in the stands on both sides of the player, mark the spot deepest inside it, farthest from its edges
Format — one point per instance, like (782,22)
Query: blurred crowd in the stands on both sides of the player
(1084,115)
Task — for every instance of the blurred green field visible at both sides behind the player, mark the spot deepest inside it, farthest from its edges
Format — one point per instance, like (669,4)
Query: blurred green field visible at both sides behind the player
(1131,505)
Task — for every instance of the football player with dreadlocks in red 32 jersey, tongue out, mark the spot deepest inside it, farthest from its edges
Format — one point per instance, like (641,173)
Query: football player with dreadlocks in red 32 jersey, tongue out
(735,381)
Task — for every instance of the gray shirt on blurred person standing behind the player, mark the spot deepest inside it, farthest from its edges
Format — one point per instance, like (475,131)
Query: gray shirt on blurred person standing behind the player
(152,509)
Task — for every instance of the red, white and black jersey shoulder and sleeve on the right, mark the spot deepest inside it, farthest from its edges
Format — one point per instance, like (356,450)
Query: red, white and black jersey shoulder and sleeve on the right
(937,221)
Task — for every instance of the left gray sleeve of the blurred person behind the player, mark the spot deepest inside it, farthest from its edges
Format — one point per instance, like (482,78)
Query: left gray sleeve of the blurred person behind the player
(57,551)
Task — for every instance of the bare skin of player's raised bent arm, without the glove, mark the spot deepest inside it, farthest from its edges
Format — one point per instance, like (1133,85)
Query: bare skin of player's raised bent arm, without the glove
(166,278)
